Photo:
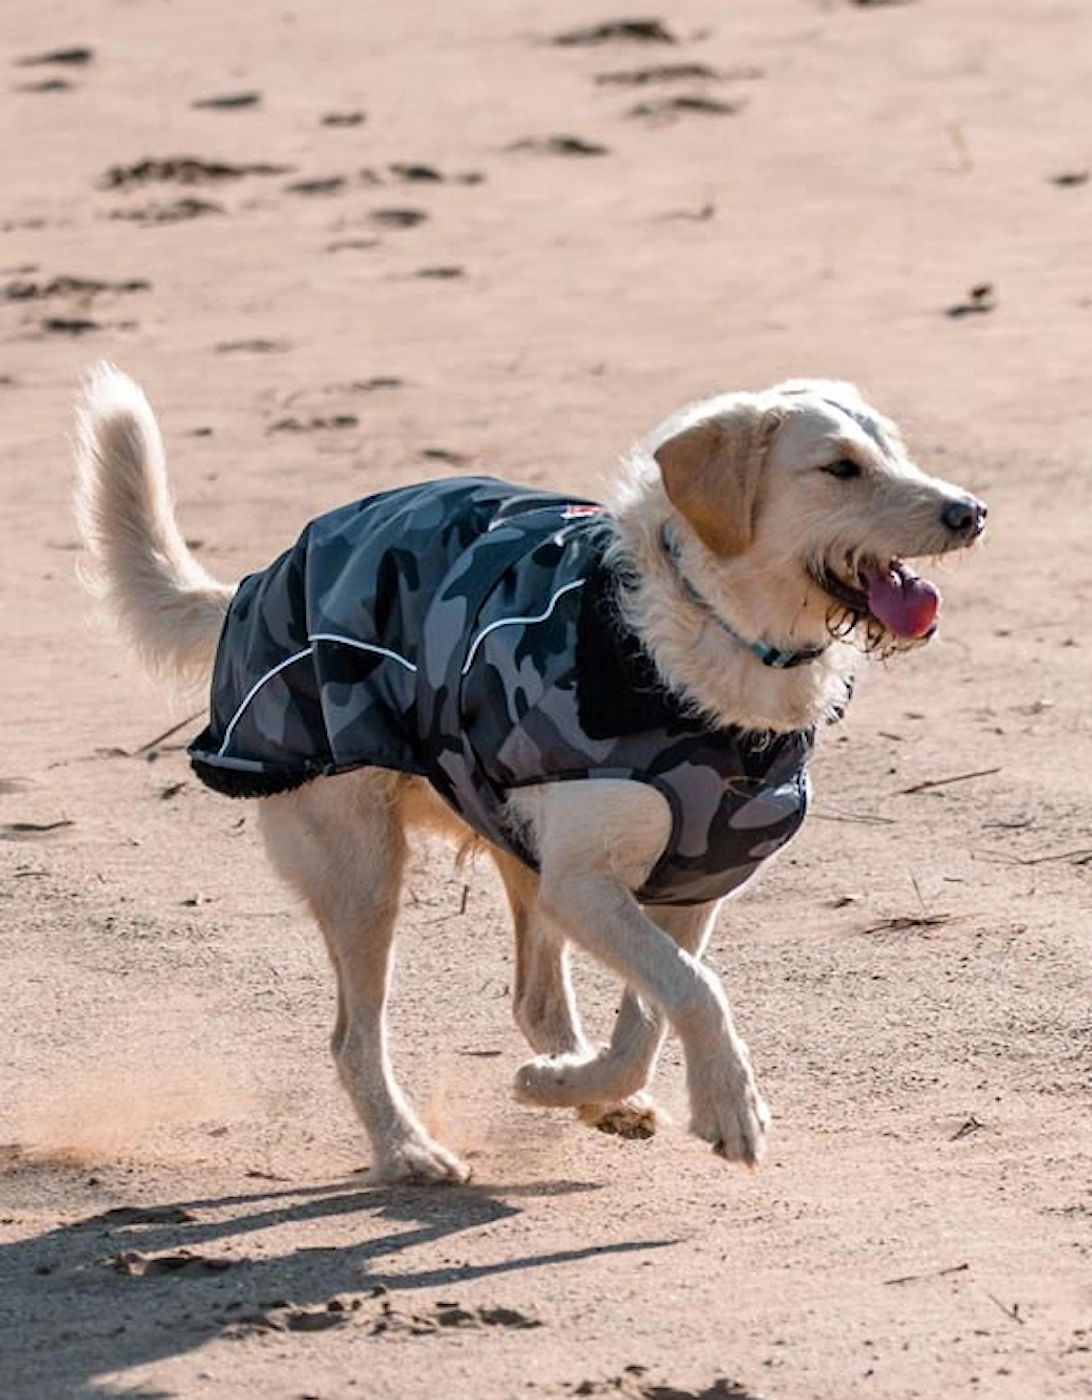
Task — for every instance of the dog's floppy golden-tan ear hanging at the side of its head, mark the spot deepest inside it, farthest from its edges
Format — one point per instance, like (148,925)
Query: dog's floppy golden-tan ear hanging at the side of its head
(712,474)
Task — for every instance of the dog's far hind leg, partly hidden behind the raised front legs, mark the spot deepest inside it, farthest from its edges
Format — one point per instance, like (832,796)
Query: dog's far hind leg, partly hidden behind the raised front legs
(542,995)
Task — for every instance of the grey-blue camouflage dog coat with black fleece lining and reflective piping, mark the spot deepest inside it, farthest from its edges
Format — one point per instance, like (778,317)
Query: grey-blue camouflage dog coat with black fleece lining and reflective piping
(467,631)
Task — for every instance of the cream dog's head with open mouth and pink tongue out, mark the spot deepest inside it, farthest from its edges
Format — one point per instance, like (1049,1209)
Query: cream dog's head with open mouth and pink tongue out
(817,492)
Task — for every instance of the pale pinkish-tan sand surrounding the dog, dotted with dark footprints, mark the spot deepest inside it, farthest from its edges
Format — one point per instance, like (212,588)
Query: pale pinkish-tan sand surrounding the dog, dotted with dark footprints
(418,240)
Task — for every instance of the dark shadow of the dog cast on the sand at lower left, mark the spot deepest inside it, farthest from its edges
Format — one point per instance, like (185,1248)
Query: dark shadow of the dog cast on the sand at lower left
(135,1286)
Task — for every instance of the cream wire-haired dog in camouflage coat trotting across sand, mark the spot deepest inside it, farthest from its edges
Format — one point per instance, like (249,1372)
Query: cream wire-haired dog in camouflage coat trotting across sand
(618,702)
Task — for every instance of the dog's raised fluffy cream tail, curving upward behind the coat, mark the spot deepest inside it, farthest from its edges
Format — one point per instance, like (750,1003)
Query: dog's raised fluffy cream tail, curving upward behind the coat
(142,569)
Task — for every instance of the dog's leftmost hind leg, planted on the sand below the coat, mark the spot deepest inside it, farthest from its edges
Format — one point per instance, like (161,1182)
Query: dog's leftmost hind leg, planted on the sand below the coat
(341,843)
